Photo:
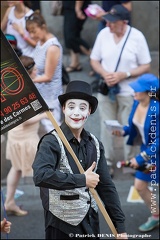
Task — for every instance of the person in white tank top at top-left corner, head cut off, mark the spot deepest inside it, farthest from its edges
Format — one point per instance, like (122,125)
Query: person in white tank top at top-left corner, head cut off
(14,23)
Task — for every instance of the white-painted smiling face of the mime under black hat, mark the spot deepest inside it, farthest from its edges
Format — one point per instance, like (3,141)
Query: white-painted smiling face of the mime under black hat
(76,113)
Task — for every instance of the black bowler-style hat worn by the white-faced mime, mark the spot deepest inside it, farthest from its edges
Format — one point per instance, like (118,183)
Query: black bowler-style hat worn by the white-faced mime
(79,90)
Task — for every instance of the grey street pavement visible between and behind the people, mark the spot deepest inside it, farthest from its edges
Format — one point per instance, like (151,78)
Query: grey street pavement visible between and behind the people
(32,225)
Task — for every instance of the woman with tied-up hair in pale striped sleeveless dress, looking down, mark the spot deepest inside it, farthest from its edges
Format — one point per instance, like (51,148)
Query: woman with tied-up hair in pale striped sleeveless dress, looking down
(48,55)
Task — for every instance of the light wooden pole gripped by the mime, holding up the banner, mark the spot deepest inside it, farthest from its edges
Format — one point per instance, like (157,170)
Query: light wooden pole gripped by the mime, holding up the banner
(92,190)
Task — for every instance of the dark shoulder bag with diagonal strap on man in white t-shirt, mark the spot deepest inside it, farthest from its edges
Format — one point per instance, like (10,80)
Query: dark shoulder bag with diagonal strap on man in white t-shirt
(103,87)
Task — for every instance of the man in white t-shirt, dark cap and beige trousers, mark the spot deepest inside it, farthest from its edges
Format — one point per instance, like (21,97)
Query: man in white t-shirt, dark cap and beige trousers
(135,60)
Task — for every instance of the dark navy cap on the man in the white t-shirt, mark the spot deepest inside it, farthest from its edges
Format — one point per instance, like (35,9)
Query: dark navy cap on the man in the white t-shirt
(117,12)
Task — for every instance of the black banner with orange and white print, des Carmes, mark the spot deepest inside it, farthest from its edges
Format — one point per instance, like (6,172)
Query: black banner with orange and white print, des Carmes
(20,99)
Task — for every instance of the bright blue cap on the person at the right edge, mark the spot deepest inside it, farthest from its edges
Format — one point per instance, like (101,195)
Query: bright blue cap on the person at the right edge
(146,83)
